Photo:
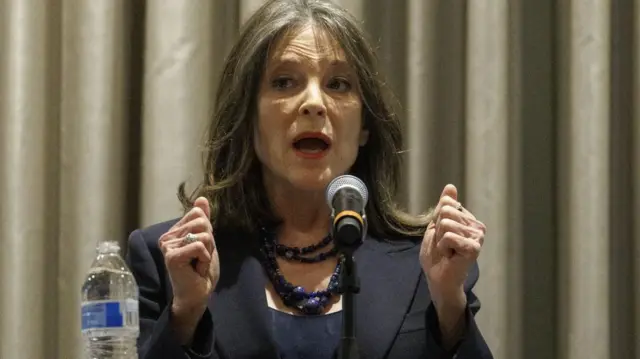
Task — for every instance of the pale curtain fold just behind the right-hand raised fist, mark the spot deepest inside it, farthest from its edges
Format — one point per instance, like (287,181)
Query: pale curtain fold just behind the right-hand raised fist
(487,179)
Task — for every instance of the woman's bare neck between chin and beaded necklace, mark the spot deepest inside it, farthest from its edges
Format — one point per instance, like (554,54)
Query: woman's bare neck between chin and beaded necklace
(305,214)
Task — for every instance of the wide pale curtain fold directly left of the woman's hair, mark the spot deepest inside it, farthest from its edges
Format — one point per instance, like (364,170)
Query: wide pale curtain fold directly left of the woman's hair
(177,99)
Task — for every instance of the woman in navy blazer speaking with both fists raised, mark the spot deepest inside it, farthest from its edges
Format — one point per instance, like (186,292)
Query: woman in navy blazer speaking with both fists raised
(299,103)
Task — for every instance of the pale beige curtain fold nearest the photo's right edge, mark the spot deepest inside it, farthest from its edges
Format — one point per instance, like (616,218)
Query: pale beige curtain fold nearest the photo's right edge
(584,188)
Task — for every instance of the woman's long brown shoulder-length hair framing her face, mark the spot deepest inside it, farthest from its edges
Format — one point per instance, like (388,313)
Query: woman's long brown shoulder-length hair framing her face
(233,175)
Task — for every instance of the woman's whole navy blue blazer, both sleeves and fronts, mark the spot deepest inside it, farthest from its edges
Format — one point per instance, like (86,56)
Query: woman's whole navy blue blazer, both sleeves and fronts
(394,315)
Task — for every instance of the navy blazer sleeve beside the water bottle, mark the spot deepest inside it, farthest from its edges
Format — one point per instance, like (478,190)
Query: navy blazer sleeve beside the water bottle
(157,340)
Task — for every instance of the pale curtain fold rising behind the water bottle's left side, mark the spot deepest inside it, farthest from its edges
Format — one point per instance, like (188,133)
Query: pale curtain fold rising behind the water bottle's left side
(94,144)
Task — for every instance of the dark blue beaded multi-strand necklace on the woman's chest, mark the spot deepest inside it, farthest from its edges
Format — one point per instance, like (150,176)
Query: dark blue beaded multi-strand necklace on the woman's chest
(309,303)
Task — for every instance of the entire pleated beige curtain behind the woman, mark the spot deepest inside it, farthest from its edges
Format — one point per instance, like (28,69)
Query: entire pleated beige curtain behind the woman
(529,106)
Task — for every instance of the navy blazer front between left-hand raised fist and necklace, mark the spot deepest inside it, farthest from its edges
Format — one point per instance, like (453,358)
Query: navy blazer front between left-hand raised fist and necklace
(240,314)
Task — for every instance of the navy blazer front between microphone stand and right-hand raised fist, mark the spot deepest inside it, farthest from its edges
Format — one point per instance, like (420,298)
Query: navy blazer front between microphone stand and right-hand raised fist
(388,275)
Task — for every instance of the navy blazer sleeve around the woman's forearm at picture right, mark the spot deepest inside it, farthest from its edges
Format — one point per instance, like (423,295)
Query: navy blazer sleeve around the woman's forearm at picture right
(472,345)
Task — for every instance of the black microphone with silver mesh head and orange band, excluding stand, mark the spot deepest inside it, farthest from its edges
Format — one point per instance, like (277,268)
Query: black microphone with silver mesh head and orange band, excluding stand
(347,197)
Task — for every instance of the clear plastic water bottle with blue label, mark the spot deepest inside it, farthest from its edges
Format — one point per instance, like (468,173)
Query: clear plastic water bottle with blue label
(110,320)
